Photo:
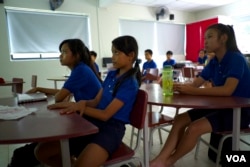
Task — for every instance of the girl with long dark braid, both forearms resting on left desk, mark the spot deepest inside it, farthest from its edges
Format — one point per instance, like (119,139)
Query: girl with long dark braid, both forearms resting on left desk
(109,111)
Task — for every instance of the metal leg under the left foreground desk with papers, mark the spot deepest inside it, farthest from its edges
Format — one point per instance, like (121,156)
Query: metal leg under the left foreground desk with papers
(65,153)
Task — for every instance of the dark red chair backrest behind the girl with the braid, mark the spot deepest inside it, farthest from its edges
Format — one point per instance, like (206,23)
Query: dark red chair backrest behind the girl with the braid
(139,110)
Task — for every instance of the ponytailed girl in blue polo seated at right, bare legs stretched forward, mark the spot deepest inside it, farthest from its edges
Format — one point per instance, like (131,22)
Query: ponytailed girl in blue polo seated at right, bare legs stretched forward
(228,80)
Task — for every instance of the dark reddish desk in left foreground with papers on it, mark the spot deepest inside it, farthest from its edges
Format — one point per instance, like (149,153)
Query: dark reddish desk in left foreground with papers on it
(44,125)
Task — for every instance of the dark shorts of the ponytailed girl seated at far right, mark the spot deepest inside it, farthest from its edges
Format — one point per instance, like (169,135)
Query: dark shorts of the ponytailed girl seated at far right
(220,119)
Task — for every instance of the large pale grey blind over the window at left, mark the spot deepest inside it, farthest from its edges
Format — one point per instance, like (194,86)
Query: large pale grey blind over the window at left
(34,34)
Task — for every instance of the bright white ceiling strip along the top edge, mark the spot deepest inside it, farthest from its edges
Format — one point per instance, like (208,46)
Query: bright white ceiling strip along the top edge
(181,5)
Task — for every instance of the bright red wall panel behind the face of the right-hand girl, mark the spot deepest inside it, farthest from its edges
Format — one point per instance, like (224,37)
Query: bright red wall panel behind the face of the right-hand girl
(195,37)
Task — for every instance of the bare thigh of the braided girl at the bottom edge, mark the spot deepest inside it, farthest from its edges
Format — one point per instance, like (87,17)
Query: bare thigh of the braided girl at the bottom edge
(93,155)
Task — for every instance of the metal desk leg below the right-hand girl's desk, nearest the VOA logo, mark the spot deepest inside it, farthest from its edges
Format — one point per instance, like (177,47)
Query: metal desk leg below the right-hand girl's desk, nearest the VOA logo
(236,128)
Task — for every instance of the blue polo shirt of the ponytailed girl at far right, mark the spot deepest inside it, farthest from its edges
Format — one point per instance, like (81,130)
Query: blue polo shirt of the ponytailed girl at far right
(232,65)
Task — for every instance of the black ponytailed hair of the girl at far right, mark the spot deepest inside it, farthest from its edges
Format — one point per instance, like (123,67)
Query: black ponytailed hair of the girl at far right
(222,29)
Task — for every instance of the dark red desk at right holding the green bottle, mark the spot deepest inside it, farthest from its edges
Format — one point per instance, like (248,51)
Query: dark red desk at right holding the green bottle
(155,97)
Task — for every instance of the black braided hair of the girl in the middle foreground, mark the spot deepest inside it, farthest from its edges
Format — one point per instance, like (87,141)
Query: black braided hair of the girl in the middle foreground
(127,44)
